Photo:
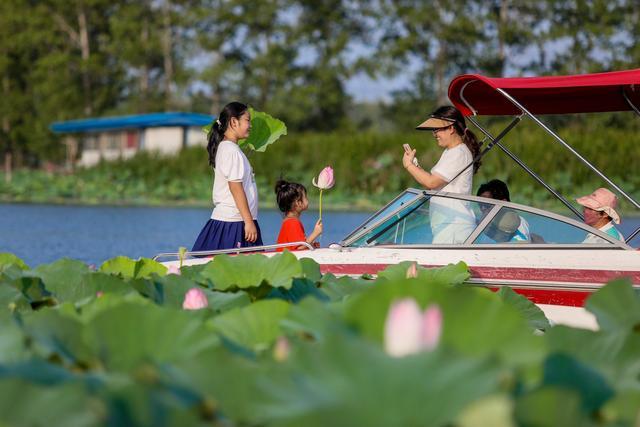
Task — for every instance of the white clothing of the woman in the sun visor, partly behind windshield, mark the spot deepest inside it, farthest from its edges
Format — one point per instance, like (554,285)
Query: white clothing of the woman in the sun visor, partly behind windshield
(452,221)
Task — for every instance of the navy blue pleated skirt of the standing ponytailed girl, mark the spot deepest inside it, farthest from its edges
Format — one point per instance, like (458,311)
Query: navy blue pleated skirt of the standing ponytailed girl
(224,235)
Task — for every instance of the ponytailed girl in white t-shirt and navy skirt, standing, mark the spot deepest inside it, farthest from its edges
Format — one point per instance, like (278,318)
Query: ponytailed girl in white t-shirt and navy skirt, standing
(234,220)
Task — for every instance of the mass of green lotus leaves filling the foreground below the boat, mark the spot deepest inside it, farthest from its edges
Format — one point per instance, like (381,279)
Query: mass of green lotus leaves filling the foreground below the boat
(279,344)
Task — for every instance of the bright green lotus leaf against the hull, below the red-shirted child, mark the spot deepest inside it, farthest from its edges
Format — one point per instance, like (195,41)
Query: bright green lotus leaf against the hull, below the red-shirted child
(253,271)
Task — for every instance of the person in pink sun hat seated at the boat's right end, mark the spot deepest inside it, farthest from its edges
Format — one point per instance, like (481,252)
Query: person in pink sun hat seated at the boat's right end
(599,212)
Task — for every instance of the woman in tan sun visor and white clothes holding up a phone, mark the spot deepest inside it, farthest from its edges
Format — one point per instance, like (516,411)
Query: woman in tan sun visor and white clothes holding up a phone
(452,221)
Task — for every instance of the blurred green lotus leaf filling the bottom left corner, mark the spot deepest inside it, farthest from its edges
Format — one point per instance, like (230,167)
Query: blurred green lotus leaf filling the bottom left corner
(27,404)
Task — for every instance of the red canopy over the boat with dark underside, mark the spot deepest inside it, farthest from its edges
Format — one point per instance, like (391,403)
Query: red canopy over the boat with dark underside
(586,93)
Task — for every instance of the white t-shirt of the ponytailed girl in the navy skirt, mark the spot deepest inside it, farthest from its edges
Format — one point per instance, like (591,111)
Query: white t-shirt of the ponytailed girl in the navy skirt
(232,165)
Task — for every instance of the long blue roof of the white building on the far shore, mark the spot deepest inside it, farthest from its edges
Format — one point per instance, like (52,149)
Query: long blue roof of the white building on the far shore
(132,122)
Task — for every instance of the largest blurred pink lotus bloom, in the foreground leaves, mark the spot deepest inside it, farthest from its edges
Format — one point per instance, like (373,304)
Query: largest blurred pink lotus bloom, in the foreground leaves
(408,330)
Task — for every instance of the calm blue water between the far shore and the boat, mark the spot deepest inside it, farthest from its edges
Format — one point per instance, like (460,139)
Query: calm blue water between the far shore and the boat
(44,233)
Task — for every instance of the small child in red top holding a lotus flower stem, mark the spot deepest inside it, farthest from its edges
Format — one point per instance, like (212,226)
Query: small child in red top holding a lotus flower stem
(292,200)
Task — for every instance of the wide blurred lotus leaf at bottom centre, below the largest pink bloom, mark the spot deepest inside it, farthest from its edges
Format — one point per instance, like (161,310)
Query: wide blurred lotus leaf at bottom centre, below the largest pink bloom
(343,381)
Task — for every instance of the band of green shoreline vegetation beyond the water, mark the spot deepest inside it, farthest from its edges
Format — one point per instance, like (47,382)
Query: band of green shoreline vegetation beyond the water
(367,167)
